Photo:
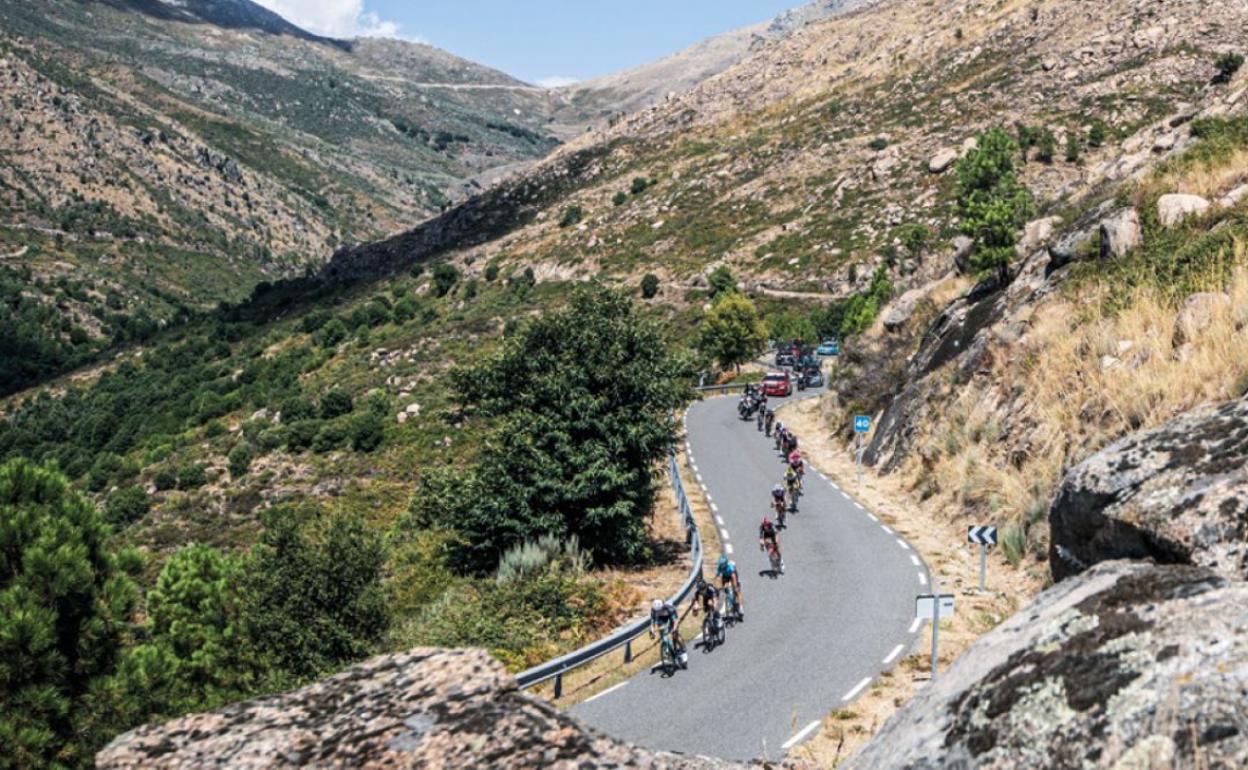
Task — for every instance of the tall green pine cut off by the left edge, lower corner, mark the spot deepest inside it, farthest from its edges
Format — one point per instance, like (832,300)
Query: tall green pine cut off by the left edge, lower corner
(64,610)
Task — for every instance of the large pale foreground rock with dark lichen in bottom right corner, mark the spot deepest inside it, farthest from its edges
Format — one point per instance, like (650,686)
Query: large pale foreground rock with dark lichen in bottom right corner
(1129,666)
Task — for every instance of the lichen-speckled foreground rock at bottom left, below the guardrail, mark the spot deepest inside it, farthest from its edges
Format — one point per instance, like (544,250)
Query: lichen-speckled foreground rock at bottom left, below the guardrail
(419,709)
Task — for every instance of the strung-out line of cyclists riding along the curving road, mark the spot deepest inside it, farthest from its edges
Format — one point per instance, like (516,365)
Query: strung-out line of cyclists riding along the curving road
(665,617)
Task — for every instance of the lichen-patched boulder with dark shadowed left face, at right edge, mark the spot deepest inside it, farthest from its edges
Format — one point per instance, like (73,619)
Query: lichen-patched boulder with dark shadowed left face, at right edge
(1177,494)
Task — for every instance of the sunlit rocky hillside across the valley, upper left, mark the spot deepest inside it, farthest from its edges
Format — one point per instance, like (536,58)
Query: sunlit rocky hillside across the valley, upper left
(160,158)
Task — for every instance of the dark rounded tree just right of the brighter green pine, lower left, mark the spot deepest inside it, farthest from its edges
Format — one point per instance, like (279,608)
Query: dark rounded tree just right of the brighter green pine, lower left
(313,598)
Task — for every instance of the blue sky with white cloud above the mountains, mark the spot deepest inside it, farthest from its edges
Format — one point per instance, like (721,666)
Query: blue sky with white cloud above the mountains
(542,42)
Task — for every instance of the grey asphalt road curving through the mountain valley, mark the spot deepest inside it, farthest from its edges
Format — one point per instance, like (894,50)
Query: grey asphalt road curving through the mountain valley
(813,640)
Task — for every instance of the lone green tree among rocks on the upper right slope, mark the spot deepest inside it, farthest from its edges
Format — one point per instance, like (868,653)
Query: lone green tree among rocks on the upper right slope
(992,202)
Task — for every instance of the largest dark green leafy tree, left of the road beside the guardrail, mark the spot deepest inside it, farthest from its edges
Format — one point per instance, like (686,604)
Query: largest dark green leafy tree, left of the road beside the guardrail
(581,397)
